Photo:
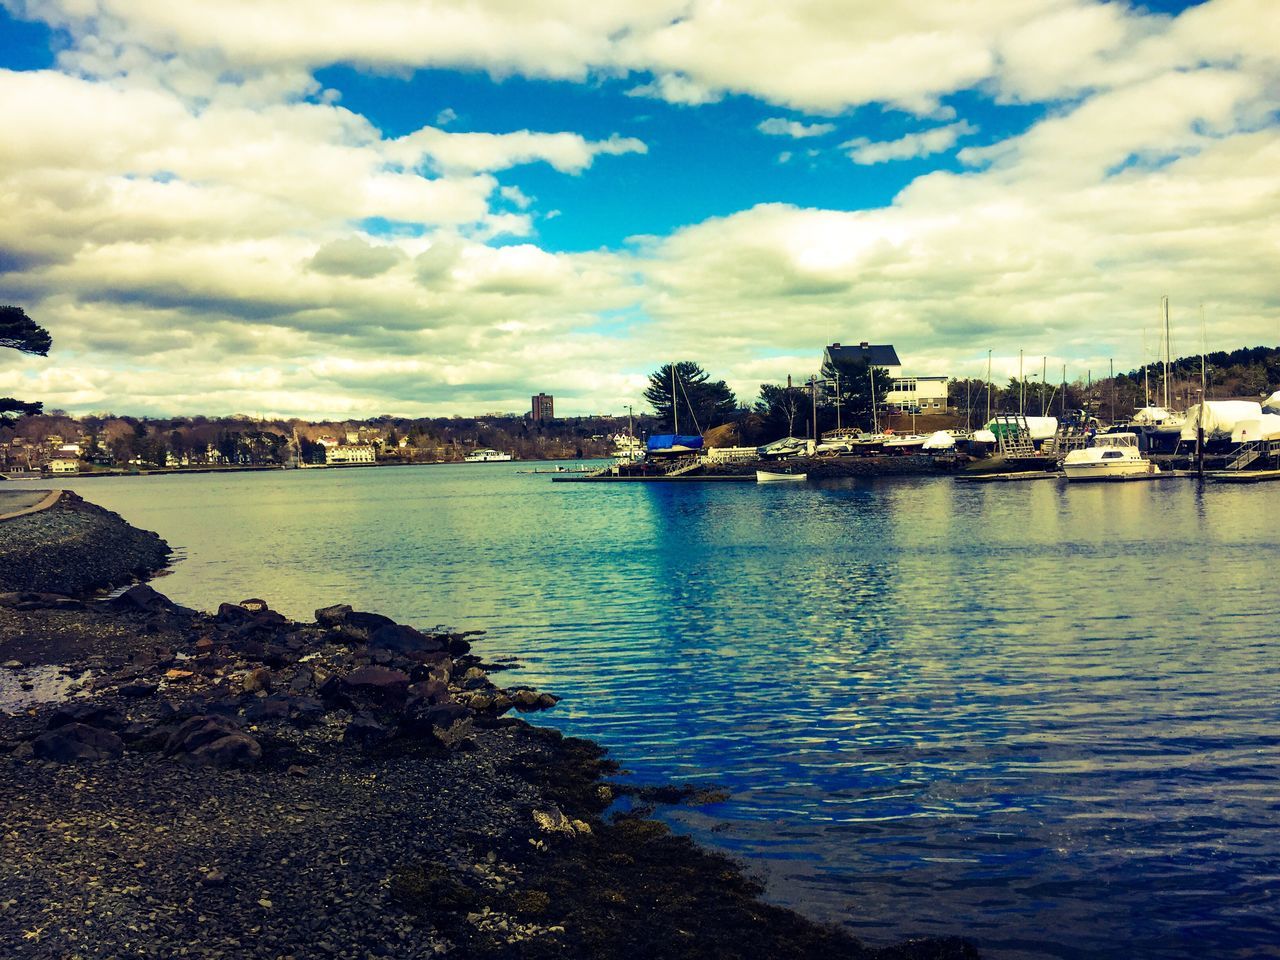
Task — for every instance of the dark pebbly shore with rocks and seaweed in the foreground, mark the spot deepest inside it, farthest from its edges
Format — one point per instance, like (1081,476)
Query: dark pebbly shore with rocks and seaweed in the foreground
(237,785)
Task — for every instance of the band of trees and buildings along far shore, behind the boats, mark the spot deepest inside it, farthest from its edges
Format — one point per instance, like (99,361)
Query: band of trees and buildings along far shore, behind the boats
(58,444)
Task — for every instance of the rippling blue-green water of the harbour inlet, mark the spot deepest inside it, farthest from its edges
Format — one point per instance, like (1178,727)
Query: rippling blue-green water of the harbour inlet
(1041,716)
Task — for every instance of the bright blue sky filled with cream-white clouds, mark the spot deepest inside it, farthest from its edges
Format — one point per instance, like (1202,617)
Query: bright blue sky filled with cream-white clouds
(435,208)
